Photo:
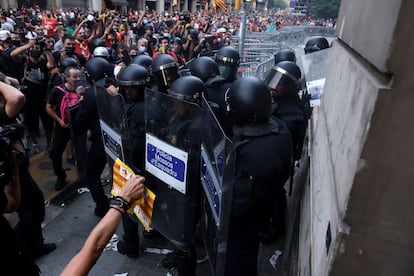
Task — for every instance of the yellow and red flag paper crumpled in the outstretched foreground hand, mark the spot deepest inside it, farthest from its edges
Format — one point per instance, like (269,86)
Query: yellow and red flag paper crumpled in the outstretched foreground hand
(144,205)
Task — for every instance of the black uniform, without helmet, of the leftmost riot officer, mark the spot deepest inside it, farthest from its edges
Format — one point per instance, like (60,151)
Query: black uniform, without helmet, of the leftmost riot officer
(87,119)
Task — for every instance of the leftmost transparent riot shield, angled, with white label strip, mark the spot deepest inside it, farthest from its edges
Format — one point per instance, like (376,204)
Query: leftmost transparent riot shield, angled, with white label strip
(111,110)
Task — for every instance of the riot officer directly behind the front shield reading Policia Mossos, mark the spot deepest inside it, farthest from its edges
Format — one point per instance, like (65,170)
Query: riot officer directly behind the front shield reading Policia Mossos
(183,131)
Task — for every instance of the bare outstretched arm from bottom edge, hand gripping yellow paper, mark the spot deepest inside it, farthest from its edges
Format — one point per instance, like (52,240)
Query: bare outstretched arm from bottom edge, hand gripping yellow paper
(82,263)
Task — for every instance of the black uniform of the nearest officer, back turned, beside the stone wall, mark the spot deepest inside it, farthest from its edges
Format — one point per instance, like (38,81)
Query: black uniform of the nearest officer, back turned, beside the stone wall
(262,167)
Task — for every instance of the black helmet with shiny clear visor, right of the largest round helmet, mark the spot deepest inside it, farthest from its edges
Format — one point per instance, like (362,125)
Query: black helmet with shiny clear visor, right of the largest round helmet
(286,73)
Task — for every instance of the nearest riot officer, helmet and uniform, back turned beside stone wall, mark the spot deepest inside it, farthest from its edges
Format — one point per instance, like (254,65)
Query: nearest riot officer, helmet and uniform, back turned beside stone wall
(263,152)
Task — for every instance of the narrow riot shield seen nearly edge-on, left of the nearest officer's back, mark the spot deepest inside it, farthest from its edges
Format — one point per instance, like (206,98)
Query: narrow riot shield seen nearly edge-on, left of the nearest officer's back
(217,168)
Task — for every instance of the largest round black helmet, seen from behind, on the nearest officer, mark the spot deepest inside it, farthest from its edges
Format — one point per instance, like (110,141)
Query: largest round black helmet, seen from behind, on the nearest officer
(250,101)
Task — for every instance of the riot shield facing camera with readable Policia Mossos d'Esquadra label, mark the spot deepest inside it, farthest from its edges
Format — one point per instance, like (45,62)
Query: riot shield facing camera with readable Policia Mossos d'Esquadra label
(172,161)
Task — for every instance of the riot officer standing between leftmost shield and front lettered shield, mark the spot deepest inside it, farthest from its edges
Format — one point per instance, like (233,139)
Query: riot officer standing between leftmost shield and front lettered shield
(132,83)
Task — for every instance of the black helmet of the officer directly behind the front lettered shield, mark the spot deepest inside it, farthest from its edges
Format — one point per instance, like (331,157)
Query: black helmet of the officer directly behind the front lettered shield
(188,88)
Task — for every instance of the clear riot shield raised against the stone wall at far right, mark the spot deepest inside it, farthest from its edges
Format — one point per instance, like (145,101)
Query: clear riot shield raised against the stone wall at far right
(314,67)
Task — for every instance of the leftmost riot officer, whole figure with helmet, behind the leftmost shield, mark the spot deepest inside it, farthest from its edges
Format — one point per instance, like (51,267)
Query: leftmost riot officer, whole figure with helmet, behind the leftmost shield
(87,119)
